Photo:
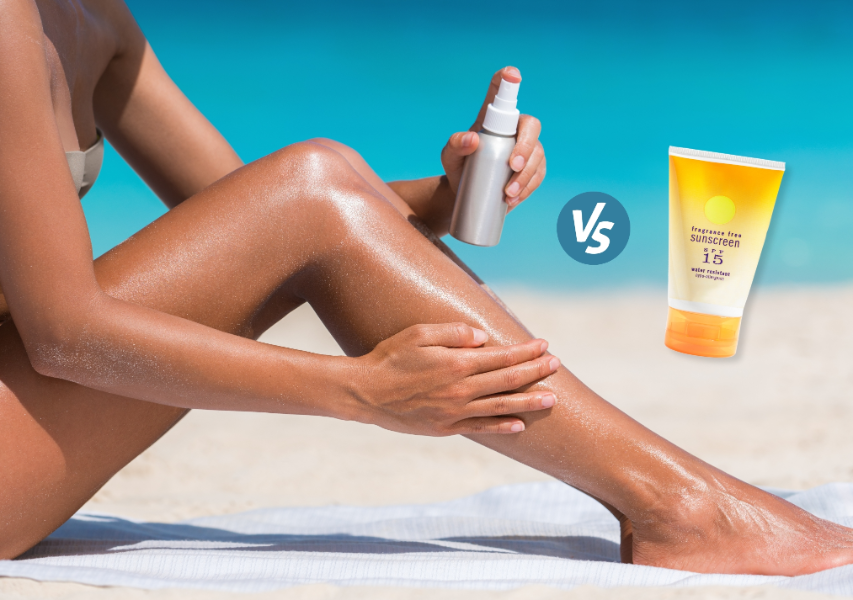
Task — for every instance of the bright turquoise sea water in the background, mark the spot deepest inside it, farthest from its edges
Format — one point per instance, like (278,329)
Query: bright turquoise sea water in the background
(614,83)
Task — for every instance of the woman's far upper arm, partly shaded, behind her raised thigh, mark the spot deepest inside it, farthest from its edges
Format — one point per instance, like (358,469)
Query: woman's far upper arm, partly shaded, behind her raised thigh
(152,124)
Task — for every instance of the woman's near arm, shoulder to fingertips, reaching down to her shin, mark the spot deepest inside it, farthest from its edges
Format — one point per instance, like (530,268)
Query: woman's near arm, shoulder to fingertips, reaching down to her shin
(72,330)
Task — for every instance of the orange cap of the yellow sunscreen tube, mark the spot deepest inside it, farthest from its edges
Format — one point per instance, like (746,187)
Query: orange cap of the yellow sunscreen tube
(702,335)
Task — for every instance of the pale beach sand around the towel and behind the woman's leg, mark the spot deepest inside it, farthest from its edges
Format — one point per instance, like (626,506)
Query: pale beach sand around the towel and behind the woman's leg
(775,415)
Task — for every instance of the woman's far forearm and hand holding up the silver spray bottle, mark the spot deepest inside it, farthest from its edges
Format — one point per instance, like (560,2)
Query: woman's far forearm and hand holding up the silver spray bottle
(432,198)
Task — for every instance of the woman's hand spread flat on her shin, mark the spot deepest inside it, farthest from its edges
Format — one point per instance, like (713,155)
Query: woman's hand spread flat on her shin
(435,380)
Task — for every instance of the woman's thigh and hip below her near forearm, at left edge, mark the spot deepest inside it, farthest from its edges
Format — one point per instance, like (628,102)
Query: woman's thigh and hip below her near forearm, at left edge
(59,443)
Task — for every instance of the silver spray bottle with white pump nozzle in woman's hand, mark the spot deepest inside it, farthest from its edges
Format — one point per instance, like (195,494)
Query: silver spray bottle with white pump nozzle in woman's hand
(480,209)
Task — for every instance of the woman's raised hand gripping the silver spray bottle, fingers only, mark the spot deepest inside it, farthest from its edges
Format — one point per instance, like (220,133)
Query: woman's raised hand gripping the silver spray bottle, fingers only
(527,159)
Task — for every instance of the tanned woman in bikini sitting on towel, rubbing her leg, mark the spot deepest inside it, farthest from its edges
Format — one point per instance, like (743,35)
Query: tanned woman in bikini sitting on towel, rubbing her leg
(99,359)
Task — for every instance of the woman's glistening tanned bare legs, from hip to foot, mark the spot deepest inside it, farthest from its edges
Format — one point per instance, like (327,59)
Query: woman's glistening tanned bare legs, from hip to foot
(303,225)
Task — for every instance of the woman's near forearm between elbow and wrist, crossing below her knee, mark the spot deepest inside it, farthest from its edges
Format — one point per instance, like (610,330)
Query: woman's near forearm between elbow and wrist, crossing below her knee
(140,353)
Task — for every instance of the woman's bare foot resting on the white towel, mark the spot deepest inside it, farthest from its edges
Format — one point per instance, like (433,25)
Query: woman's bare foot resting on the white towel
(736,528)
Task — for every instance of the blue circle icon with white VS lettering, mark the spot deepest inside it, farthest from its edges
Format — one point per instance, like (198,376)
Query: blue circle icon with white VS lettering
(593,228)
